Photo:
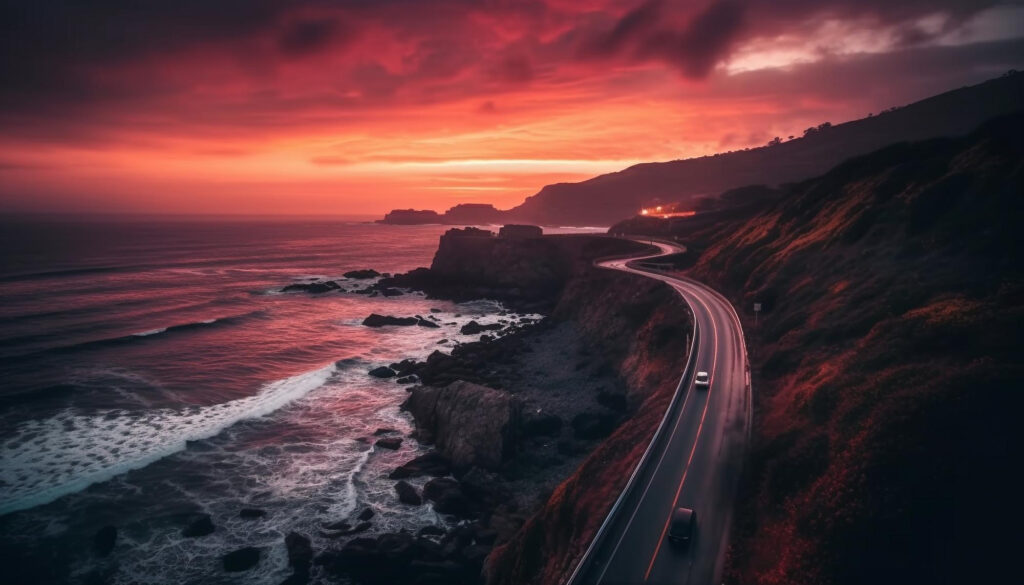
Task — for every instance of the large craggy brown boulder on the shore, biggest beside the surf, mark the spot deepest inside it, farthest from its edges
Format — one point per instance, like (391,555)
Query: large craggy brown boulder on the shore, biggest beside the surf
(471,425)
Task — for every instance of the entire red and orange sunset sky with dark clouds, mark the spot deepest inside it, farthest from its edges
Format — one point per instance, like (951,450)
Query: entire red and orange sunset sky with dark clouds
(363,106)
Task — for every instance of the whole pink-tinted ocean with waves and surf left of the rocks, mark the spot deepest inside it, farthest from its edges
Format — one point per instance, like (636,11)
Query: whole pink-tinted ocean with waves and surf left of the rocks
(153,370)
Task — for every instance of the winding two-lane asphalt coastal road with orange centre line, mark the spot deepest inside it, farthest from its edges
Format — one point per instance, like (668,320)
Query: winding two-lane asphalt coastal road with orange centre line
(696,463)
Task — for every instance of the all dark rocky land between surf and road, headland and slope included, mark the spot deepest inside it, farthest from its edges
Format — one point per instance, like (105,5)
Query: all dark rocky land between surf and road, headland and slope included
(517,423)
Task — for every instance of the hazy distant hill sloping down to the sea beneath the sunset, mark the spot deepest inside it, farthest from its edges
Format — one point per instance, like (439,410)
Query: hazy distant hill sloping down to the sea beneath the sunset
(607,199)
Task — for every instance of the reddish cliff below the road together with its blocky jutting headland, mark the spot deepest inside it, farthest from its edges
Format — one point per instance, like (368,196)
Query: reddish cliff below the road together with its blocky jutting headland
(641,328)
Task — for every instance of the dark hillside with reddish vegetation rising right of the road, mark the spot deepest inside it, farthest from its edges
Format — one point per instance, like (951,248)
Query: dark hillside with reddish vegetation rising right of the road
(887,366)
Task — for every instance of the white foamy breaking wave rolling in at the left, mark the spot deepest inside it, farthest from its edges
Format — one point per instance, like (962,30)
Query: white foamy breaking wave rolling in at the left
(50,458)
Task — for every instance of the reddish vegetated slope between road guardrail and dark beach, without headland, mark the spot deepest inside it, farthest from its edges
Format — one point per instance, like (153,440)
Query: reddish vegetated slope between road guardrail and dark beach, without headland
(644,329)
